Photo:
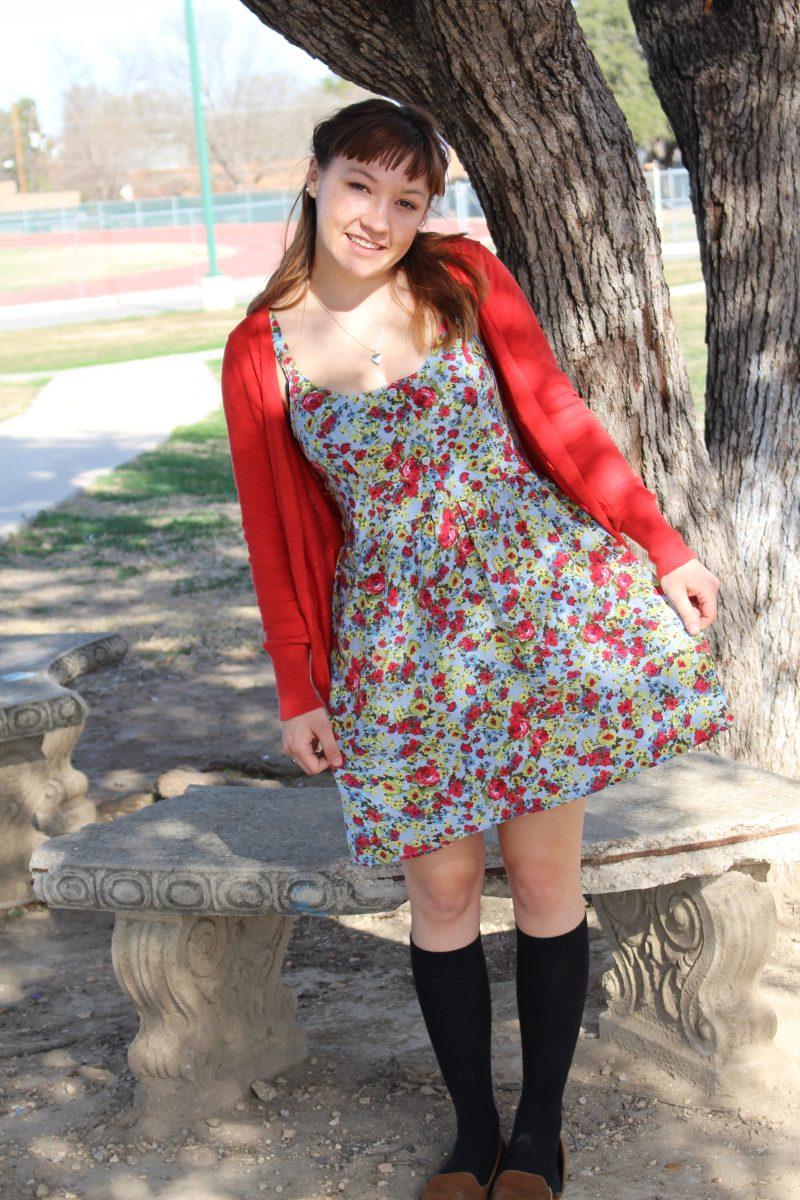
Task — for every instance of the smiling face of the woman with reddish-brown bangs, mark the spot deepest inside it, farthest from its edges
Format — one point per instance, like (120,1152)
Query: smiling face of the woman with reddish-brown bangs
(362,203)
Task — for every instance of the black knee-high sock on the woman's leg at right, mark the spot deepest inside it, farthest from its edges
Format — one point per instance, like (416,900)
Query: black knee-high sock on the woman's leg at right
(552,982)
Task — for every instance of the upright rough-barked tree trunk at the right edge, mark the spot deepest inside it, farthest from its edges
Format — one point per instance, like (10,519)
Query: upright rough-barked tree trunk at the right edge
(729,79)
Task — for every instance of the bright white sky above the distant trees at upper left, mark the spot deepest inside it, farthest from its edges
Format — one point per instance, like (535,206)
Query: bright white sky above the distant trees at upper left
(47,44)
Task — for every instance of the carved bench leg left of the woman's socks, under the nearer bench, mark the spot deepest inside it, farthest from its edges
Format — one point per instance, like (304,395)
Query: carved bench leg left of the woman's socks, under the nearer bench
(214,1013)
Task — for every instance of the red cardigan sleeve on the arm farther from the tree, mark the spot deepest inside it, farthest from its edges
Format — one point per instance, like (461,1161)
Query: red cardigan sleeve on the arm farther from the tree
(287,639)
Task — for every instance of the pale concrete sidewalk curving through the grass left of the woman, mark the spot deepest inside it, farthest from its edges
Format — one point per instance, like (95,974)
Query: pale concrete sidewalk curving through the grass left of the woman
(88,421)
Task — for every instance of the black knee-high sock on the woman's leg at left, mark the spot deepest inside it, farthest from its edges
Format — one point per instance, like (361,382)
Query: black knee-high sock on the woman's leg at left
(454,992)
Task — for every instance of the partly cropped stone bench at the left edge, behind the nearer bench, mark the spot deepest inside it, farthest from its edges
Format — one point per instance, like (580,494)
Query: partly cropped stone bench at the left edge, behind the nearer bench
(41,722)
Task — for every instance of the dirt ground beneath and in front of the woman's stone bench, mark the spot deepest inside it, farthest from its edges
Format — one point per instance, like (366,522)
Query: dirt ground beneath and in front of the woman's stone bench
(366,1114)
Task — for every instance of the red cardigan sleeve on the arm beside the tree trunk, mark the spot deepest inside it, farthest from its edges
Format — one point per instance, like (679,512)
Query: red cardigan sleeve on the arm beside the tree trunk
(633,509)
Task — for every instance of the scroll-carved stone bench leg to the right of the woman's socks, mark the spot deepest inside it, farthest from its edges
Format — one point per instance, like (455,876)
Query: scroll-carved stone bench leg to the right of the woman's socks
(688,956)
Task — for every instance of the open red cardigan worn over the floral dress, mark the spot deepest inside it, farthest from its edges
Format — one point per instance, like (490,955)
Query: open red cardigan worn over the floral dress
(292,525)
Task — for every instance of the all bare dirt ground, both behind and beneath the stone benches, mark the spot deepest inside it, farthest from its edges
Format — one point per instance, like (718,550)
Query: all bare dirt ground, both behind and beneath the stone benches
(366,1114)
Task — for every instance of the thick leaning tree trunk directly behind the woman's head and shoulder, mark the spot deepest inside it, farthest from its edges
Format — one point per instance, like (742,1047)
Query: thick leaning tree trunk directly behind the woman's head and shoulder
(522,100)
